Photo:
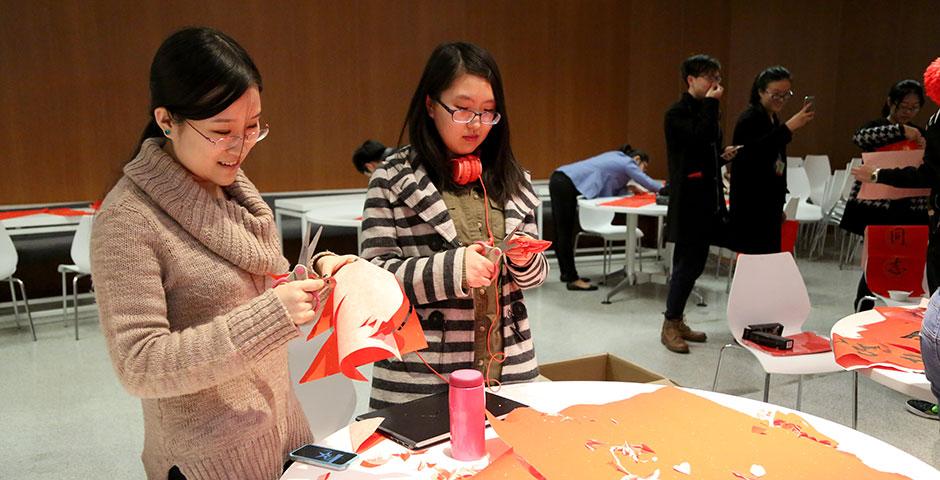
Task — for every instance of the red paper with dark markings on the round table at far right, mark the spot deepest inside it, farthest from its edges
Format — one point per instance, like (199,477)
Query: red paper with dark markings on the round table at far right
(893,343)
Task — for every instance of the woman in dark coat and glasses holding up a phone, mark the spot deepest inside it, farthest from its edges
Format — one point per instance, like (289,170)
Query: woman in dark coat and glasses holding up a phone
(758,174)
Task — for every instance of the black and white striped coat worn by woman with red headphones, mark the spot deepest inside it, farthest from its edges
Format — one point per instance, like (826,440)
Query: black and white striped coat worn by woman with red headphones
(407,230)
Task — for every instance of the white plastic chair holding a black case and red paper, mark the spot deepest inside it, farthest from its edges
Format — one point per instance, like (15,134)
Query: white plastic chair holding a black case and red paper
(770,289)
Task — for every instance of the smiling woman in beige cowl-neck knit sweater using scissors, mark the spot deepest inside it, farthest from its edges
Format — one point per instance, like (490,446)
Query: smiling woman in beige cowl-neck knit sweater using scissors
(181,253)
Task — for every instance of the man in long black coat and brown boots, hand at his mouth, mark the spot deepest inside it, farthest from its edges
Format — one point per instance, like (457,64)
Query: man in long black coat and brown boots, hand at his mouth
(696,199)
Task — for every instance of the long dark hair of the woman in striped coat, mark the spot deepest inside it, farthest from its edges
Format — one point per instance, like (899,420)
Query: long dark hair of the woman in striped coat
(502,175)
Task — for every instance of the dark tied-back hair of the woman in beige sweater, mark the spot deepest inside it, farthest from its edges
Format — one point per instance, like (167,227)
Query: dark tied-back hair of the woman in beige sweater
(196,73)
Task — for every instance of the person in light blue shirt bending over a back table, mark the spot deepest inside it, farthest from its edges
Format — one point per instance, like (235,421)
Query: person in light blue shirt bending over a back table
(604,175)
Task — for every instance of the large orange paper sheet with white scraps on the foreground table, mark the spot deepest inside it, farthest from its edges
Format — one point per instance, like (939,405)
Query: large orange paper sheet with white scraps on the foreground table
(672,434)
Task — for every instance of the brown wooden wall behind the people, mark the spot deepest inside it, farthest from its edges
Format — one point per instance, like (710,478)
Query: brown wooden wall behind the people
(580,76)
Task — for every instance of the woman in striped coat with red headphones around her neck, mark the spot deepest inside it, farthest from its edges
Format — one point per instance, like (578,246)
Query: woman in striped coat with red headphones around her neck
(421,222)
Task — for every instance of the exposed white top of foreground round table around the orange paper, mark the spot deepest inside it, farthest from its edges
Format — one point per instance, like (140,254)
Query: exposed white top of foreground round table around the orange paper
(550,397)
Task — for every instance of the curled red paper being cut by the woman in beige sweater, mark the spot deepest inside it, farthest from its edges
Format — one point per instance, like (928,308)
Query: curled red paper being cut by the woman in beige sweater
(371,319)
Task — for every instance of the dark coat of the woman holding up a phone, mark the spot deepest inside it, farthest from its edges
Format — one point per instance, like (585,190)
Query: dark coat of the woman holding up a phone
(758,186)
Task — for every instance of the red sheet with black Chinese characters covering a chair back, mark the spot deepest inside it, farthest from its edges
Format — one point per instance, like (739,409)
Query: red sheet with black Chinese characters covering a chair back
(894,257)
